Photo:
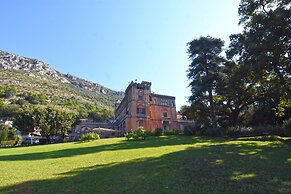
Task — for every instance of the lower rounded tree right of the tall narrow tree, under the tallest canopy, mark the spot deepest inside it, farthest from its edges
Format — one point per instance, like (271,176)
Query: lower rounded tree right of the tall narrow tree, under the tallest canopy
(235,92)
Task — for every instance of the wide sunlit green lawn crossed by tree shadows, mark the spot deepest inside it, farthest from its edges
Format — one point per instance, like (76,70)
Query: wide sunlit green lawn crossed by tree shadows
(174,164)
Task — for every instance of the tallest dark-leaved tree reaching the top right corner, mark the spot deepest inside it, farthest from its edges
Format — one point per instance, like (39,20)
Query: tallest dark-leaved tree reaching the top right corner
(264,46)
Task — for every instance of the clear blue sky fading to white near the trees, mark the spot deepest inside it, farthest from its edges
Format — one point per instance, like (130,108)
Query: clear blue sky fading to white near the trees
(114,42)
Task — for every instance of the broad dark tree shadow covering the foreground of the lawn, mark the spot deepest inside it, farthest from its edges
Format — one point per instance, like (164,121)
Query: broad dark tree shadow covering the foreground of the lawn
(216,168)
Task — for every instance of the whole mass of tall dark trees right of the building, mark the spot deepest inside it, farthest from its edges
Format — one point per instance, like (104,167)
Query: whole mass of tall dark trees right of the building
(253,84)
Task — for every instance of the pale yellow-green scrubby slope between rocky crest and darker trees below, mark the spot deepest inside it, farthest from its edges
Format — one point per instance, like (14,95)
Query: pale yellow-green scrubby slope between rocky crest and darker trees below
(55,90)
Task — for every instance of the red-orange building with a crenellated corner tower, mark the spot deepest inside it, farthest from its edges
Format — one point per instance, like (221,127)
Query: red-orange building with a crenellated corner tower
(141,108)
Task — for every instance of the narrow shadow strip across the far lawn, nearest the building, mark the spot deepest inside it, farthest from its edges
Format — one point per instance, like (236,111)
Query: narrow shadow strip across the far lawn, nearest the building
(122,145)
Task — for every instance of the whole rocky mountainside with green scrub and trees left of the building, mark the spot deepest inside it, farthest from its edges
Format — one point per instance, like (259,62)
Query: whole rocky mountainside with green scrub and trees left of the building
(31,82)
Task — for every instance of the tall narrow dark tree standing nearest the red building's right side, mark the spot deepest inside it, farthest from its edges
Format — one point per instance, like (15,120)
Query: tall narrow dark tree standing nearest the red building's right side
(203,72)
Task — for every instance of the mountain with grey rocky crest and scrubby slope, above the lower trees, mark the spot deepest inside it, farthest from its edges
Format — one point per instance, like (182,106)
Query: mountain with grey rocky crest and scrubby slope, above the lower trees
(35,78)
